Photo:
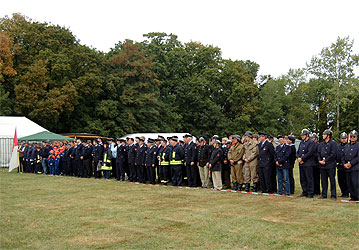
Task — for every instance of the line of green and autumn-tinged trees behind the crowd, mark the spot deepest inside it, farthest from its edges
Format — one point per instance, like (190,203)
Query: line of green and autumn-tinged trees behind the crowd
(164,85)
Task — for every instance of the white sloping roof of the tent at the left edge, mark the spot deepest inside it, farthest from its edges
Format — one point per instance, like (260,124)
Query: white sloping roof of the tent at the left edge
(23,125)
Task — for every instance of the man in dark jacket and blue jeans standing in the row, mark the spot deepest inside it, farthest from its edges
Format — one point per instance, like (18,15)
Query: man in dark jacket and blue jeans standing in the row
(281,158)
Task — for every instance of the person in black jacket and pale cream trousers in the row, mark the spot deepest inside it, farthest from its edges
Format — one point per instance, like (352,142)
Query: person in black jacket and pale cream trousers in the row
(215,165)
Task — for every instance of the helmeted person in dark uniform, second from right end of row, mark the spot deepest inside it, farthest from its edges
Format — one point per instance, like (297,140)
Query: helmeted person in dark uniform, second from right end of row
(342,181)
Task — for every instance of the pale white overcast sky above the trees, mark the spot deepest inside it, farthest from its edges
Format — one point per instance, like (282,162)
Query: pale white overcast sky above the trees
(278,35)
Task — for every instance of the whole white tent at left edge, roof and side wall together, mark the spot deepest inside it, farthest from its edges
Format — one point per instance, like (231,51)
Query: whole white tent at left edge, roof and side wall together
(24,127)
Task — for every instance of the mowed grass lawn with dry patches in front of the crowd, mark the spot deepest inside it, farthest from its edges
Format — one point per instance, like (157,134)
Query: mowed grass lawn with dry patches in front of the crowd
(43,212)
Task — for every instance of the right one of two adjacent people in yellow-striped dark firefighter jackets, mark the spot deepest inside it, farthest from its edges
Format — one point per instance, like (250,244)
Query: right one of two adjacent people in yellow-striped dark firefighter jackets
(176,158)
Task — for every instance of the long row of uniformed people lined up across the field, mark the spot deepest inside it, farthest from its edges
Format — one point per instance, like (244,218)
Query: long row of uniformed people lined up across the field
(253,162)
